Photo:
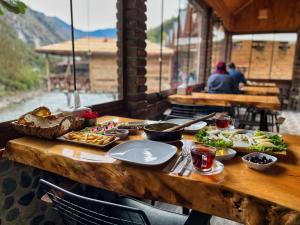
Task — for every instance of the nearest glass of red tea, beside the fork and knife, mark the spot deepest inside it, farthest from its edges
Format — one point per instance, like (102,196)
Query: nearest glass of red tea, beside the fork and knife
(203,157)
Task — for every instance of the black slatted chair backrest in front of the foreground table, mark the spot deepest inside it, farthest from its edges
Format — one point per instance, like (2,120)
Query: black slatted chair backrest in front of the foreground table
(79,210)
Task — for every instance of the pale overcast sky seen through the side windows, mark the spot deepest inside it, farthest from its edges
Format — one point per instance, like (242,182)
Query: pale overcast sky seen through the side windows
(102,12)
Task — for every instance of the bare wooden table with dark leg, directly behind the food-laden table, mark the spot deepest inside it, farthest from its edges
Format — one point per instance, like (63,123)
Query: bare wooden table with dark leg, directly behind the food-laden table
(263,103)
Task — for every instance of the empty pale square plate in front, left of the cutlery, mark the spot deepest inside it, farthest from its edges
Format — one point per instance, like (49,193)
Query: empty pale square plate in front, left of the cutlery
(143,152)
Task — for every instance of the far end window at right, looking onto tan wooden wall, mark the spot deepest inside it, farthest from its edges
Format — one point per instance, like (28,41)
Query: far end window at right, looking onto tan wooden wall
(265,56)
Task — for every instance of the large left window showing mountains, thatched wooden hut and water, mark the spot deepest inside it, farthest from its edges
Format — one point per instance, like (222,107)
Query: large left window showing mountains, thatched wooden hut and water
(36,56)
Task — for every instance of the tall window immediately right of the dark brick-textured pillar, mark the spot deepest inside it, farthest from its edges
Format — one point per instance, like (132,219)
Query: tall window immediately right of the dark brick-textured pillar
(181,44)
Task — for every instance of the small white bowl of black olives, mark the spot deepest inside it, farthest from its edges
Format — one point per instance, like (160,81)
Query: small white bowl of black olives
(259,161)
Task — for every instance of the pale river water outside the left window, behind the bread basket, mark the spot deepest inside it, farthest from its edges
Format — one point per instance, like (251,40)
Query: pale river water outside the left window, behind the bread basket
(54,101)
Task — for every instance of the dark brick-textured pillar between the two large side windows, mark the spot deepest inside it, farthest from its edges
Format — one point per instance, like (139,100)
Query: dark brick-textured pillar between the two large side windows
(132,55)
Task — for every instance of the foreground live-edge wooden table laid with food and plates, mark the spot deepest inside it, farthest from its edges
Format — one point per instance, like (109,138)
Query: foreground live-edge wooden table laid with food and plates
(239,193)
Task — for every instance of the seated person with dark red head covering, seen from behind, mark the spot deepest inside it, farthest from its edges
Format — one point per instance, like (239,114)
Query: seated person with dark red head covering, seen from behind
(220,81)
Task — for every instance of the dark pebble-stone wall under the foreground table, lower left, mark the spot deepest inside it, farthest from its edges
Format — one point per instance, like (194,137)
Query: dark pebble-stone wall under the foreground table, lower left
(19,197)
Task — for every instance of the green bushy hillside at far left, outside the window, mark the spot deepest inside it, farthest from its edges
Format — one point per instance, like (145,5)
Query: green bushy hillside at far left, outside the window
(20,68)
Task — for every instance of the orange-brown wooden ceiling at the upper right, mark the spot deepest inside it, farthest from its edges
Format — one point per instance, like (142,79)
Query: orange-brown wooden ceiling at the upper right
(258,16)
